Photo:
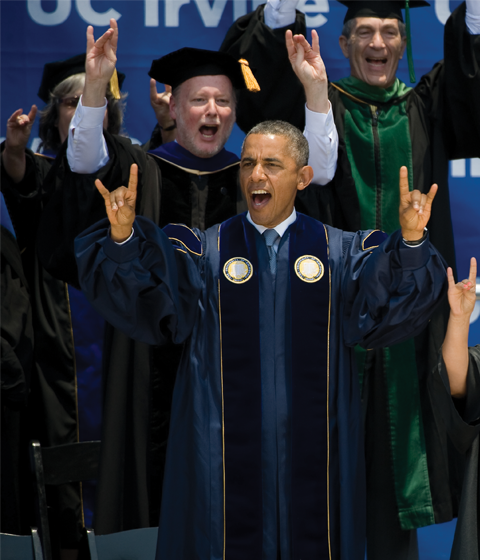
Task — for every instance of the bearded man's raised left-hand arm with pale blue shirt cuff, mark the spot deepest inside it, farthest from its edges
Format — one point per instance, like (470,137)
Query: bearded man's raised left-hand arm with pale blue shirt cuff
(87,151)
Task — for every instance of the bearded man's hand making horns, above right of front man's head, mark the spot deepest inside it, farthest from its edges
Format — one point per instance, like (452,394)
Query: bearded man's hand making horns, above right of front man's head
(310,69)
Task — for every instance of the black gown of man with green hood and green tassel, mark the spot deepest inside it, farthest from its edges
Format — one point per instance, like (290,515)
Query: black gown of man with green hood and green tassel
(444,124)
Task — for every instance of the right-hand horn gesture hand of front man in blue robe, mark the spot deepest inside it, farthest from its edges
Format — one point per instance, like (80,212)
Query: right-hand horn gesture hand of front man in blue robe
(415,208)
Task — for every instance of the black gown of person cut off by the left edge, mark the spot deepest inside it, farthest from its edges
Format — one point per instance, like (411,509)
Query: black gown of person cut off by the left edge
(16,370)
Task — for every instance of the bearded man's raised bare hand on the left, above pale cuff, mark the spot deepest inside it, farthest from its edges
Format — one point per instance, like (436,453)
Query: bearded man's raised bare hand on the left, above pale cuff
(99,64)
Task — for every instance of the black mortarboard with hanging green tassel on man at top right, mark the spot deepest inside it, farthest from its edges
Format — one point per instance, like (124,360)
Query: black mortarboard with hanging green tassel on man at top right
(386,9)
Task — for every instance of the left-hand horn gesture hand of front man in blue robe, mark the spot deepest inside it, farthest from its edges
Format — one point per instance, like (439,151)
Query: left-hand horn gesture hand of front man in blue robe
(120,205)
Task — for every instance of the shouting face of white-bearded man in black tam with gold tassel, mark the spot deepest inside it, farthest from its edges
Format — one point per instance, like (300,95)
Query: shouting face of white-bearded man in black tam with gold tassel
(204,110)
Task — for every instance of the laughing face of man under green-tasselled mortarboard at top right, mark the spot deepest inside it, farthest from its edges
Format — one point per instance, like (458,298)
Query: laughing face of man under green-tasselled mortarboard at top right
(373,49)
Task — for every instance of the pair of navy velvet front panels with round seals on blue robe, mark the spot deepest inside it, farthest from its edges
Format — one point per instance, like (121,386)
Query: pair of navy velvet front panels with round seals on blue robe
(242,390)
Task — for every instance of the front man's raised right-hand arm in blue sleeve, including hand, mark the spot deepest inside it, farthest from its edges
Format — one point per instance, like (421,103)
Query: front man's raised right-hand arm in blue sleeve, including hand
(391,290)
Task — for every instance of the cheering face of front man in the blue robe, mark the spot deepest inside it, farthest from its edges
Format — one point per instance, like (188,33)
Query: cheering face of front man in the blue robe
(270,178)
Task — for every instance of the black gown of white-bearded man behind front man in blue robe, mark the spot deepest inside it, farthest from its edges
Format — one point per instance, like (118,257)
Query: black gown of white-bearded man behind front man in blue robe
(138,378)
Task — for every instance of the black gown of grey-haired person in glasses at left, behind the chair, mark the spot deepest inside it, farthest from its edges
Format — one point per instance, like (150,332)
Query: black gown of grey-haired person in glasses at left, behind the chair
(54,405)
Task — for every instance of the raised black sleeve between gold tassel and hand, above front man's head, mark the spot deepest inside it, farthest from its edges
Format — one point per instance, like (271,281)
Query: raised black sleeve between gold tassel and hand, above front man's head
(281,95)
